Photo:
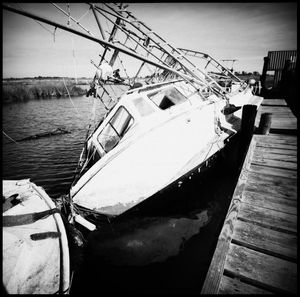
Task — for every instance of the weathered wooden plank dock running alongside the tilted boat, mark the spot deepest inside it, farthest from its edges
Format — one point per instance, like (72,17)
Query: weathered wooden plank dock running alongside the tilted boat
(256,252)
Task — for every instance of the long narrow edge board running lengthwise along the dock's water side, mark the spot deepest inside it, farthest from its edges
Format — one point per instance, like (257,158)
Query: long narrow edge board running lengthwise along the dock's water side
(215,271)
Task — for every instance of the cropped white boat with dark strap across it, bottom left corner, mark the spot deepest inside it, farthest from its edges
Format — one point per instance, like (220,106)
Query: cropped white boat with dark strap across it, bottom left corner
(35,247)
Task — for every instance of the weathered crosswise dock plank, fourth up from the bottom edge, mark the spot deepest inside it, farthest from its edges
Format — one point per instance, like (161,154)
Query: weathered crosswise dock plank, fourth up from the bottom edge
(273,219)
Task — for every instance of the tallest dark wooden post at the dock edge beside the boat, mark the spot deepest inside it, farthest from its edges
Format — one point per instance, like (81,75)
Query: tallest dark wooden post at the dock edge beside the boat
(247,129)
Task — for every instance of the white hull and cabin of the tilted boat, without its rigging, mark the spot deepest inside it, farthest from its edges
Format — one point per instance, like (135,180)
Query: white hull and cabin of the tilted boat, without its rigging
(152,137)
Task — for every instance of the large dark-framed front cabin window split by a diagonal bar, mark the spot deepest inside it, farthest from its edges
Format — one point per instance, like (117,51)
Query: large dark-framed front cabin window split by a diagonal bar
(115,129)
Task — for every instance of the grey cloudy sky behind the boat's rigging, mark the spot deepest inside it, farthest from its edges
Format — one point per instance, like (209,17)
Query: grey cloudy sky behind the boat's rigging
(242,31)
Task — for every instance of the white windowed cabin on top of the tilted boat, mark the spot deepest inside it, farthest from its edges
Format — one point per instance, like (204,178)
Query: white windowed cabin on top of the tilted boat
(137,111)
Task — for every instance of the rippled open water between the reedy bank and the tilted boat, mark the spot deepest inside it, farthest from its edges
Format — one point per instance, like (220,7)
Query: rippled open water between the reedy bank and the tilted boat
(49,162)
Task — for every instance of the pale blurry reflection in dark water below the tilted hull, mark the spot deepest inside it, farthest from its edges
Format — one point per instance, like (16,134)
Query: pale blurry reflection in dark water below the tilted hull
(148,240)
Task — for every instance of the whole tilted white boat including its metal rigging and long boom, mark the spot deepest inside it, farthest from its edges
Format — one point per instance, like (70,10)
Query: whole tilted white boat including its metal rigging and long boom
(172,118)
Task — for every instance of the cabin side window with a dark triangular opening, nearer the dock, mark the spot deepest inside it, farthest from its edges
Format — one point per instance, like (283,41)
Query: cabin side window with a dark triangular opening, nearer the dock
(166,98)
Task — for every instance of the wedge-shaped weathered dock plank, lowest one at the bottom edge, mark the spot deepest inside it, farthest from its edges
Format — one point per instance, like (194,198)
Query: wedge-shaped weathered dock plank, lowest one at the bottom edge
(230,286)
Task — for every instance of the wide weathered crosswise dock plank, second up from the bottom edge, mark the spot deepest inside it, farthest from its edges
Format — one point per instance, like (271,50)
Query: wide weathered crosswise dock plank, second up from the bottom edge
(256,267)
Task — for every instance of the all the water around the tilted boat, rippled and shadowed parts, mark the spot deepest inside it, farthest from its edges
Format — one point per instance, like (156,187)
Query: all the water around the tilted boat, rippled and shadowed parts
(168,251)
